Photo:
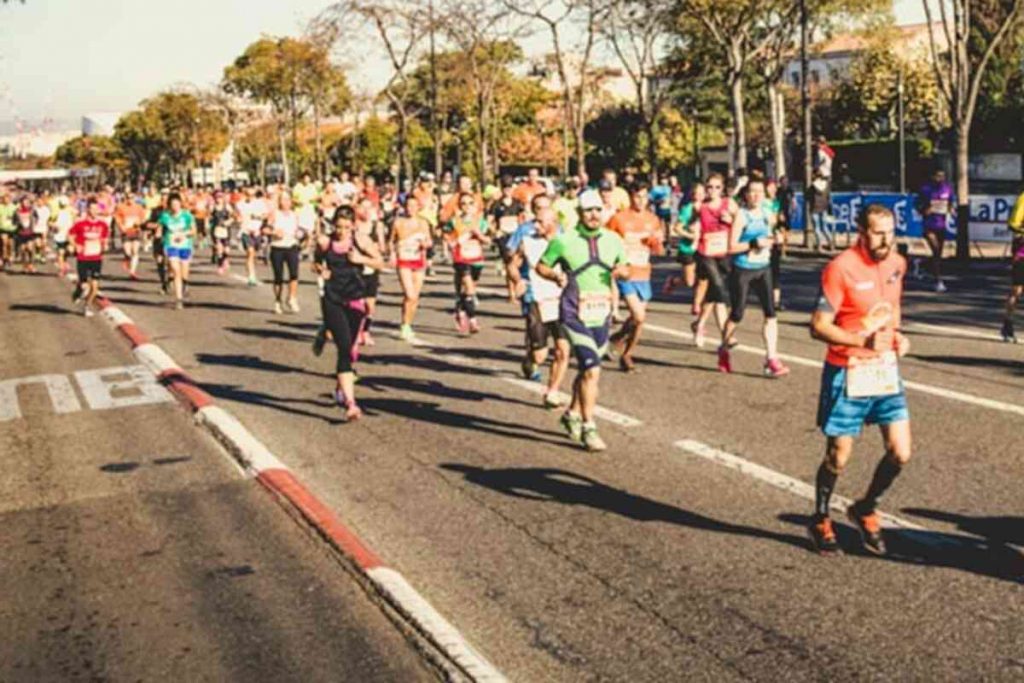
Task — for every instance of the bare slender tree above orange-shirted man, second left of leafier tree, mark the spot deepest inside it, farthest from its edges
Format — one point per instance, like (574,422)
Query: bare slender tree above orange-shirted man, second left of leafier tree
(638,32)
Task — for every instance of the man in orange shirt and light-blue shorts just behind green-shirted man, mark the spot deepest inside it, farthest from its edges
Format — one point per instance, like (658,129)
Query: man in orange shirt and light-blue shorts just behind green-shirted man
(642,233)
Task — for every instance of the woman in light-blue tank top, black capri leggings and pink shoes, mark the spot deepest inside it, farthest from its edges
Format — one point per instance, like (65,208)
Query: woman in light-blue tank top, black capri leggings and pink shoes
(751,245)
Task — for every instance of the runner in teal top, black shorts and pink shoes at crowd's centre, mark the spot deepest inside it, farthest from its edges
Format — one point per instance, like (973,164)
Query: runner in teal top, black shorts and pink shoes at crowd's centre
(467,235)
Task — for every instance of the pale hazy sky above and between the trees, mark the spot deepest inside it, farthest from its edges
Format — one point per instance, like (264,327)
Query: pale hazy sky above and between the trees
(64,59)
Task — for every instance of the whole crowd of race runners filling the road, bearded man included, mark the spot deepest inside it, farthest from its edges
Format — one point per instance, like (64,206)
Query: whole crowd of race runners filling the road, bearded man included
(577,261)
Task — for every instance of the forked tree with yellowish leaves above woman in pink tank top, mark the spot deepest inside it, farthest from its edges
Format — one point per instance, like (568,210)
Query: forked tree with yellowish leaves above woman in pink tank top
(740,31)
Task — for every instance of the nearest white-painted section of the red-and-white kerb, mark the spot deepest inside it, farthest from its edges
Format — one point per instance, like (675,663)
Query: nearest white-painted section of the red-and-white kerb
(430,621)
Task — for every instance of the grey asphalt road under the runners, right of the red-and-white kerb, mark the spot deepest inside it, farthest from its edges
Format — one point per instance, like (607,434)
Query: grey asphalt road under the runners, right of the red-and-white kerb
(680,553)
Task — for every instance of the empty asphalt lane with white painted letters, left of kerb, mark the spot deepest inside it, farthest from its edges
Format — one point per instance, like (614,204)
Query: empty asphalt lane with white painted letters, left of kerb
(134,549)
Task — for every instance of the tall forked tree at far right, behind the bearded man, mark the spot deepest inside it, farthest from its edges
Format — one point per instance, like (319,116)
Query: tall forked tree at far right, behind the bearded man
(969,35)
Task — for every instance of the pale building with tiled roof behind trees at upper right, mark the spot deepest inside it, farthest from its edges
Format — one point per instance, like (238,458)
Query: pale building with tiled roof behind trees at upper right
(830,62)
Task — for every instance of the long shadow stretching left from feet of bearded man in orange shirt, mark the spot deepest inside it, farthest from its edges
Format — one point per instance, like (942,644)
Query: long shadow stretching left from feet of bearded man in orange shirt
(554,486)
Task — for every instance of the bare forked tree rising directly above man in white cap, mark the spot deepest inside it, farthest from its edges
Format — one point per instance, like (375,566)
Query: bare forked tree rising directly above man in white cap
(557,17)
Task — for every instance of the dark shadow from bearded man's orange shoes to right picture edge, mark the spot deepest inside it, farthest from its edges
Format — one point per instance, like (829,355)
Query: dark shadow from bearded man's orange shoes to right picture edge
(926,548)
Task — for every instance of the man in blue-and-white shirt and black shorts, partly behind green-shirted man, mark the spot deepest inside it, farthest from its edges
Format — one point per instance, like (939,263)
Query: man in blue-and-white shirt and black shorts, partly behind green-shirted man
(541,302)
